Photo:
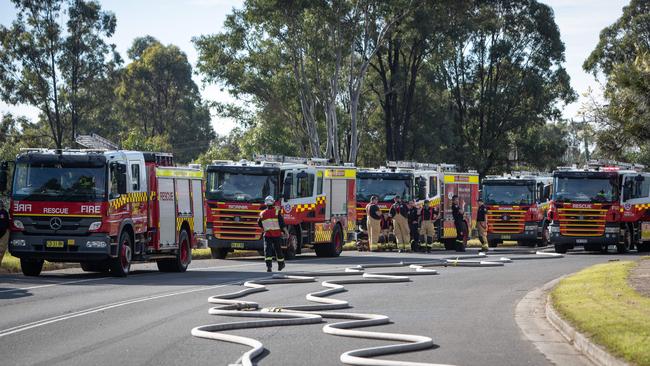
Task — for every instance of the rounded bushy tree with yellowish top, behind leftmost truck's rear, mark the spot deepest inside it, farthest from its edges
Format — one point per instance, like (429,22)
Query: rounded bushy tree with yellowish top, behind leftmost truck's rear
(158,96)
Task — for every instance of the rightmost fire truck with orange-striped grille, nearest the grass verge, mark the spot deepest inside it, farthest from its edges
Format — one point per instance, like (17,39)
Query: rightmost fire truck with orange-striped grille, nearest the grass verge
(586,208)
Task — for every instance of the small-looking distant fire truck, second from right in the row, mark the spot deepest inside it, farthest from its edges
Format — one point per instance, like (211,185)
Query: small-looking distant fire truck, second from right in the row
(516,206)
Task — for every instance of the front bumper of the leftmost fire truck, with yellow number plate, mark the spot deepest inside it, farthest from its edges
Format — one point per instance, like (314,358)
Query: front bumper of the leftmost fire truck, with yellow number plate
(93,247)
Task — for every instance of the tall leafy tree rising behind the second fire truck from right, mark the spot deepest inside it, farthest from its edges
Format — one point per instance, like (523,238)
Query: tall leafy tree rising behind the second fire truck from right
(504,72)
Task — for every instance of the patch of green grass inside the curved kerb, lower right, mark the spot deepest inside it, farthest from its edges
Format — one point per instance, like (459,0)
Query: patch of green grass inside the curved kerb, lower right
(601,304)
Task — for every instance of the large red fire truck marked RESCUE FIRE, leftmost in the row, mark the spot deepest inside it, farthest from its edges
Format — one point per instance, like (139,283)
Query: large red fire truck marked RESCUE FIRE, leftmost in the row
(104,209)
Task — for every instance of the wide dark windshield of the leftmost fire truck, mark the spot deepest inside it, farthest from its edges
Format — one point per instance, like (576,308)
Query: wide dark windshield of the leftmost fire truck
(59,182)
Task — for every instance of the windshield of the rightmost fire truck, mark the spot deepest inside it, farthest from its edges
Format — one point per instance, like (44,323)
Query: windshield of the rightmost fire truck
(584,189)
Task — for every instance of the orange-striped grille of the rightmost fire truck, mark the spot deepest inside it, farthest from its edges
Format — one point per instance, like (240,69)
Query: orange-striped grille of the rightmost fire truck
(582,221)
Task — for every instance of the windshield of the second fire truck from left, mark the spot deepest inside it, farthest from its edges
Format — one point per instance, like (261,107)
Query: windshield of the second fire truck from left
(228,186)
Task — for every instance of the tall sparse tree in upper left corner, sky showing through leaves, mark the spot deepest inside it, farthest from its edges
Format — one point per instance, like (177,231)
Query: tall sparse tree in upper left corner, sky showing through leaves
(54,67)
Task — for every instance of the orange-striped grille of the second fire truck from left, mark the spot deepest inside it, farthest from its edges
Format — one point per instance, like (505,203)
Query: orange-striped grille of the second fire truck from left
(236,224)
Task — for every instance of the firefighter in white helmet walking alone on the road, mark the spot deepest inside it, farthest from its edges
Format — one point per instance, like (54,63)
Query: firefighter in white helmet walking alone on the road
(272,223)
